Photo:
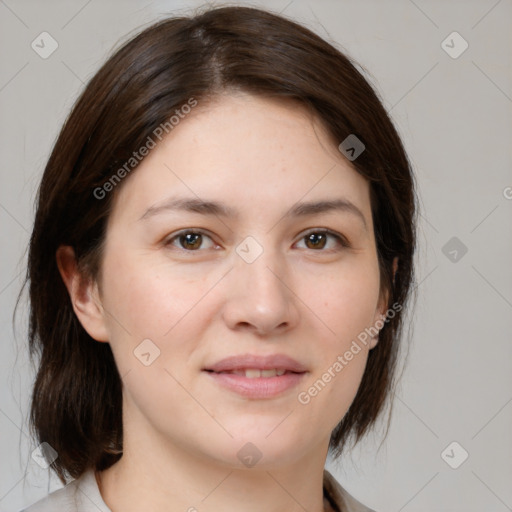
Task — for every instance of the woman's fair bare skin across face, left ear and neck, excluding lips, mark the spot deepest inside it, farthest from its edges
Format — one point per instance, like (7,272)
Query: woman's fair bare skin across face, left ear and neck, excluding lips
(181,432)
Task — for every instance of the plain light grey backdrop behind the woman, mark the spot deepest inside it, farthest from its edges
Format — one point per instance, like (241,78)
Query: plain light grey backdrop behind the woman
(454,115)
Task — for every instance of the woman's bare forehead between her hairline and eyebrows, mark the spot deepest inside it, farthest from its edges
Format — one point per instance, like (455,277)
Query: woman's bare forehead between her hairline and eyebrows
(254,154)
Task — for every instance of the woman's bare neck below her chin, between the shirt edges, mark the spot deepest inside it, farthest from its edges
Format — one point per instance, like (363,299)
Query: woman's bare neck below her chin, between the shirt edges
(165,478)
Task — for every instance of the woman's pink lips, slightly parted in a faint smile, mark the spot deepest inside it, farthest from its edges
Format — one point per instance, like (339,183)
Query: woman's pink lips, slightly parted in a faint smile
(257,377)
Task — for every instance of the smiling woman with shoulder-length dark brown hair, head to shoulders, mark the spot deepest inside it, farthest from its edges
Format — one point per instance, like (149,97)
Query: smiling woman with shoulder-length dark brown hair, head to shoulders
(220,261)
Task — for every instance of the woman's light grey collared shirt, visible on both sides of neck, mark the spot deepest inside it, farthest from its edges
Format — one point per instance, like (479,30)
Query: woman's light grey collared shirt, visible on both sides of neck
(83,495)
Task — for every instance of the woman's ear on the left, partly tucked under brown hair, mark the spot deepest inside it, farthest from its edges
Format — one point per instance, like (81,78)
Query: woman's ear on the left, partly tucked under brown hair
(84,294)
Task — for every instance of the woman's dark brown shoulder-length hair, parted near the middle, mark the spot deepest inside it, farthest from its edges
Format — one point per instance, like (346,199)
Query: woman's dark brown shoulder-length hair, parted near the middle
(77,397)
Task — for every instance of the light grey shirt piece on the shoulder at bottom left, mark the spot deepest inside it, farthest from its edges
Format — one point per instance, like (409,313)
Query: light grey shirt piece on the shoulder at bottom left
(80,495)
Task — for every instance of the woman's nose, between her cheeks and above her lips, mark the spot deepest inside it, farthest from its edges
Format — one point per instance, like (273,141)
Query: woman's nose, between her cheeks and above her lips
(260,296)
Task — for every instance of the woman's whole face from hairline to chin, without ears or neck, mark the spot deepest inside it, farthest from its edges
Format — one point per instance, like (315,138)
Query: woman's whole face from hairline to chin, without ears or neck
(215,263)
